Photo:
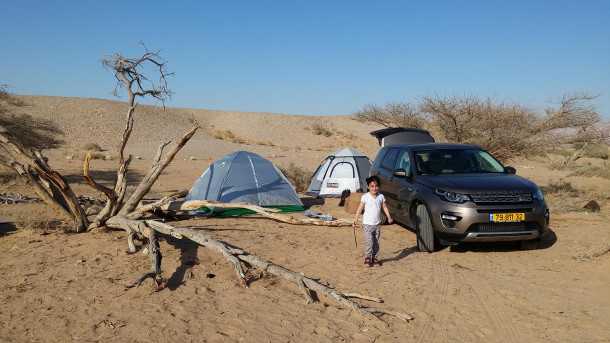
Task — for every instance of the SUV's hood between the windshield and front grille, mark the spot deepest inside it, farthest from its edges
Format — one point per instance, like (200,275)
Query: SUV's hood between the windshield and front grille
(474,183)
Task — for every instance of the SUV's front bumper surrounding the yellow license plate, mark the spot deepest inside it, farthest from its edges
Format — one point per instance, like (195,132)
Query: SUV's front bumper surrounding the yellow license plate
(473,222)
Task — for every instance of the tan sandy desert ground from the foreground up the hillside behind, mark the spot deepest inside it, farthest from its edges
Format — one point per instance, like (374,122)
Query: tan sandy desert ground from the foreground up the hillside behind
(59,287)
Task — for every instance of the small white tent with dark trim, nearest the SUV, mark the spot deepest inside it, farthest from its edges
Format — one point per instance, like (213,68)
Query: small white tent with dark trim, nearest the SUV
(345,169)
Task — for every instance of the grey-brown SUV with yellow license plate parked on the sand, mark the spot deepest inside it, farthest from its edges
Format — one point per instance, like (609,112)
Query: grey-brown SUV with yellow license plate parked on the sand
(451,193)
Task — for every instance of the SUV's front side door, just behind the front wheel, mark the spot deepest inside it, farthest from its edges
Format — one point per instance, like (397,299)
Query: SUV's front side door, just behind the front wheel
(404,188)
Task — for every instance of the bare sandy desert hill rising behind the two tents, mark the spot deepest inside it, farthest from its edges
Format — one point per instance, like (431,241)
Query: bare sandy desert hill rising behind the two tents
(301,139)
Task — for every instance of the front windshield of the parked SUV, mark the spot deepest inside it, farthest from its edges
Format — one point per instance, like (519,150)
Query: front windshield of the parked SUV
(456,161)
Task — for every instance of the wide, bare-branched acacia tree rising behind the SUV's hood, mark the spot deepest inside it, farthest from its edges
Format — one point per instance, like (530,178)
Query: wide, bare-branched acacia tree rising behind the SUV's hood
(507,129)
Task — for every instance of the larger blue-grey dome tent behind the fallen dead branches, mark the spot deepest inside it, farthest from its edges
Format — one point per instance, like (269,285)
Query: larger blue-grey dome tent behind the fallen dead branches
(244,176)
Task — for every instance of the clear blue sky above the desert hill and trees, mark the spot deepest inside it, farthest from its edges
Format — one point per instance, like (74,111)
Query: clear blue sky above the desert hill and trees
(315,57)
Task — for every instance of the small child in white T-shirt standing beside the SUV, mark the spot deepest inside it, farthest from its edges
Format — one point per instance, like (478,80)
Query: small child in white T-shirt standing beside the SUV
(372,203)
